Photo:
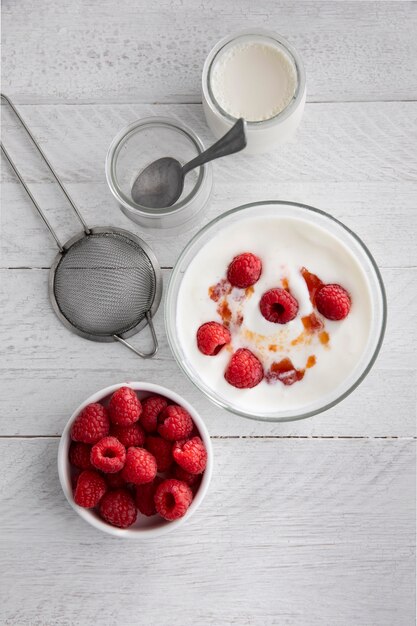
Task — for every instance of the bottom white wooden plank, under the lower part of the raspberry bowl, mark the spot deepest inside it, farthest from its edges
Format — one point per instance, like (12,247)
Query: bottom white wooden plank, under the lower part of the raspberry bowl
(291,532)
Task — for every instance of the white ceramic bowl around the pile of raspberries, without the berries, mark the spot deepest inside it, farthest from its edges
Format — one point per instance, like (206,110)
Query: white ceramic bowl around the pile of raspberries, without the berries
(144,527)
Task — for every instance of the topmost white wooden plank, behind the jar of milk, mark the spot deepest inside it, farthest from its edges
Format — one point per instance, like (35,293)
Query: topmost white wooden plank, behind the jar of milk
(90,52)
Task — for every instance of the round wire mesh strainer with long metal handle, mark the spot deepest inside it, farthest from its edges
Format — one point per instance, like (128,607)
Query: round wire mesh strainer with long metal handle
(105,283)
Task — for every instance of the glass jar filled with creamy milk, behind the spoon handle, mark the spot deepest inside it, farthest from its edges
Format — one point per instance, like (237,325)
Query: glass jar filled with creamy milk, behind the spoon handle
(257,76)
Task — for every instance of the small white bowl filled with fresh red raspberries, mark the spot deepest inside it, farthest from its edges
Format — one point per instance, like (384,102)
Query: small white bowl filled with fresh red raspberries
(135,460)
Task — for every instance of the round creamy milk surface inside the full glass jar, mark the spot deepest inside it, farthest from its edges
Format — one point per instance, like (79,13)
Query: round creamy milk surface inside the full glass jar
(254,80)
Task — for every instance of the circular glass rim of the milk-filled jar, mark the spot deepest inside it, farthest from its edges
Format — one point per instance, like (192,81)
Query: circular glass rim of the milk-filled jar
(267,34)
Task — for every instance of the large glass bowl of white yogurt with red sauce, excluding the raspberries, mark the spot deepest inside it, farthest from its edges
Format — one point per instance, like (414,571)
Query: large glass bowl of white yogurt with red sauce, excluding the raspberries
(300,247)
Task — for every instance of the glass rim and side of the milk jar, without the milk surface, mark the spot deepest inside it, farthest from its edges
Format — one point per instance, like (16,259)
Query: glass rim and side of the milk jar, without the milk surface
(266,134)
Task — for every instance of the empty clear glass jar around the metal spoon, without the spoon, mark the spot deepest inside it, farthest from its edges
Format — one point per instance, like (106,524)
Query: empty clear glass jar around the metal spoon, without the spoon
(141,143)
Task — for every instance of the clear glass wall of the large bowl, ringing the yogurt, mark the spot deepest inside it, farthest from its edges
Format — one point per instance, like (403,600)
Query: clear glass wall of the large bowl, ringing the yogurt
(309,215)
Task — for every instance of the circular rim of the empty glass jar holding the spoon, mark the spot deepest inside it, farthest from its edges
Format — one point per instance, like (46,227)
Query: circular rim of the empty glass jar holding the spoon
(112,155)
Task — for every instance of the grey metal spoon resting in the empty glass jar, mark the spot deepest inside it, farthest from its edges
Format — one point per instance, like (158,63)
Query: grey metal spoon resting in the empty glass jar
(161,183)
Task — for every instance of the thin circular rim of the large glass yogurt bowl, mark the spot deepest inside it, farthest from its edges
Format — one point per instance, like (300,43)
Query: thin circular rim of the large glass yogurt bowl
(272,419)
